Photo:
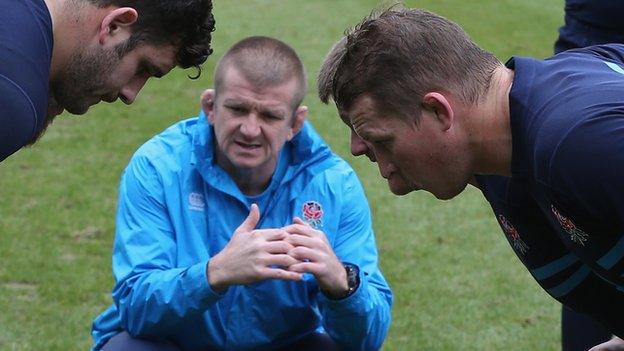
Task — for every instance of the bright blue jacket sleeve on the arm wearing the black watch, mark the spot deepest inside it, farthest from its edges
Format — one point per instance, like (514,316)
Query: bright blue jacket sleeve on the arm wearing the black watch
(360,321)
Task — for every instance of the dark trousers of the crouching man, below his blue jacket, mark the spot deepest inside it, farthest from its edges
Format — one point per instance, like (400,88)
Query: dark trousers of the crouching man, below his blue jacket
(124,342)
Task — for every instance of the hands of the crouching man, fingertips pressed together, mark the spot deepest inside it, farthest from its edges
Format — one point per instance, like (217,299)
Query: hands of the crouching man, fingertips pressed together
(285,253)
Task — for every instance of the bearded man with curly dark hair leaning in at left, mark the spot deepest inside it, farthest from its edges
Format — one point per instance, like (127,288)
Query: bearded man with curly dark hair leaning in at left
(61,55)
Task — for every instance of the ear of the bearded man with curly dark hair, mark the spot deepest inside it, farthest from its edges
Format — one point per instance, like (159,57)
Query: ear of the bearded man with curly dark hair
(115,26)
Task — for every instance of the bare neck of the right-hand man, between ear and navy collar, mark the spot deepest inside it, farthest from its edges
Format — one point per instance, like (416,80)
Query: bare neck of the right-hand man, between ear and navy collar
(490,129)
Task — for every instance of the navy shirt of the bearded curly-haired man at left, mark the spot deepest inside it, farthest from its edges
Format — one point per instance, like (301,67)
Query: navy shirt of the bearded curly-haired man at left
(25,57)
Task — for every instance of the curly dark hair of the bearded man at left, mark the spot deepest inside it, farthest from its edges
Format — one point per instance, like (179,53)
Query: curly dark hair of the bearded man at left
(187,24)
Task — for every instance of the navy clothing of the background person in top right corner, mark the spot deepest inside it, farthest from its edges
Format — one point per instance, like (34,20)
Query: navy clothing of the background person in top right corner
(591,22)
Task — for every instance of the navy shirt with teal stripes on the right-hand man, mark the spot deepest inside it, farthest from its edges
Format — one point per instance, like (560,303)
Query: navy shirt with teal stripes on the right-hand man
(563,208)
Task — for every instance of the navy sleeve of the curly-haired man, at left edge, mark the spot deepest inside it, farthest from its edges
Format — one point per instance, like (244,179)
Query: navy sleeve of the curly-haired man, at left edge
(17,118)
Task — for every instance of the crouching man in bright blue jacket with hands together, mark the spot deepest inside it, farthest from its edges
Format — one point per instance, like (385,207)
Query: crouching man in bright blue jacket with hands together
(240,229)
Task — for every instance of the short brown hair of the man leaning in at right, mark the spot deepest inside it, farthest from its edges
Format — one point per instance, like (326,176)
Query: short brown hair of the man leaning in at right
(397,55)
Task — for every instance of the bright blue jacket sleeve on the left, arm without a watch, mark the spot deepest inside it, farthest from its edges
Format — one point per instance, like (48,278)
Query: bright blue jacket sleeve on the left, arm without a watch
(152,293)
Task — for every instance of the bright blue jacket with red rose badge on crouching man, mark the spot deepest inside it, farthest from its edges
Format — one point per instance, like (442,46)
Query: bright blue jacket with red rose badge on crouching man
(177,209)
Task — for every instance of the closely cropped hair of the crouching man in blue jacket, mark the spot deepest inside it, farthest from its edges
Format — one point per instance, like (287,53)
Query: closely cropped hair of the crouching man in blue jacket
(265,62)
